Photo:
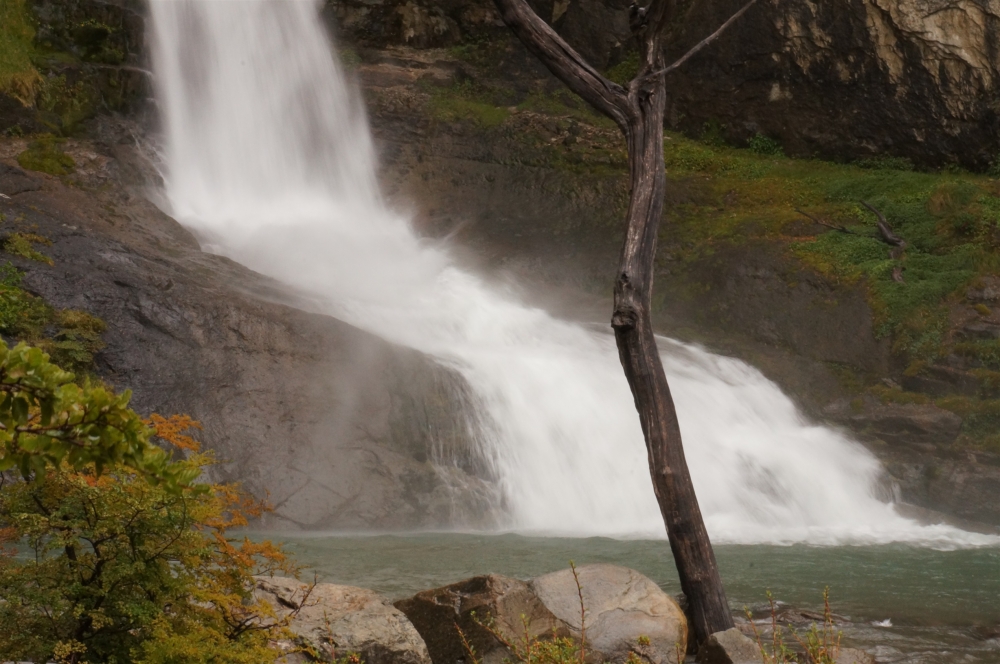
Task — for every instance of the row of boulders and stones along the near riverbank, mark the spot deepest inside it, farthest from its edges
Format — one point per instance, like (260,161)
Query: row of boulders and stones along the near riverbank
(620,615)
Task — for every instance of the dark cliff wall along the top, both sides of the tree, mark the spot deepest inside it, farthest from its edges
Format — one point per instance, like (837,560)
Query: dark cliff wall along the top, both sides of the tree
(847,79)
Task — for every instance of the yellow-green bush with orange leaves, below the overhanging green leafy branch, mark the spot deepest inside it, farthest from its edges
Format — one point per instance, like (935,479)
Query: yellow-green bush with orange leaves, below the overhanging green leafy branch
(121,570)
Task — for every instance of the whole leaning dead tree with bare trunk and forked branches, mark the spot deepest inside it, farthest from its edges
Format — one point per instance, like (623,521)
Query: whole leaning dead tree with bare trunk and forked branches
(638,110)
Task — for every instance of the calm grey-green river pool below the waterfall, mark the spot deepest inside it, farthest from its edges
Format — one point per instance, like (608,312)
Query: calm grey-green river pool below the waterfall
(941,606)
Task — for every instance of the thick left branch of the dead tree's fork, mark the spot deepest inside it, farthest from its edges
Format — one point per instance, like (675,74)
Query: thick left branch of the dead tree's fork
(563,61)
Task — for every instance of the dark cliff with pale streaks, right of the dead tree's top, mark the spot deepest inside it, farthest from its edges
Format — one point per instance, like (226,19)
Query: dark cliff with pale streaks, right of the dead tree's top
(851,78)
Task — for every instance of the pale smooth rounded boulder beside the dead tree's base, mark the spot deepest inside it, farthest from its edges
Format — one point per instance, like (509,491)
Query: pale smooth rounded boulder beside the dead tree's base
(622,606)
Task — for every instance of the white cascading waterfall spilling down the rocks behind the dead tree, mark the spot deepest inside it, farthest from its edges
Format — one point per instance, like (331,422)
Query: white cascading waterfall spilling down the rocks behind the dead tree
(269,160)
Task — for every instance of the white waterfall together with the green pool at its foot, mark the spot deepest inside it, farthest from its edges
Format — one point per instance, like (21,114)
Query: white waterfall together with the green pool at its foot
(269,161)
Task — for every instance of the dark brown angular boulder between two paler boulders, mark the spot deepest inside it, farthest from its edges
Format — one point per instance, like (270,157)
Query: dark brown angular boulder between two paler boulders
(436,613)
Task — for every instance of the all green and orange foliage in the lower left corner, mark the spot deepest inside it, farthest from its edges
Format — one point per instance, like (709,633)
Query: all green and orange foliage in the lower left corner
(109,556)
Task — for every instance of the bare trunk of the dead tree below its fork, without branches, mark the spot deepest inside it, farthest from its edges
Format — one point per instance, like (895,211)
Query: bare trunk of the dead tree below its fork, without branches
(689,540)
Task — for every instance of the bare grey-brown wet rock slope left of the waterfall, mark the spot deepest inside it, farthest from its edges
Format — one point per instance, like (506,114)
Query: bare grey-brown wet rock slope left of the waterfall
(329,421)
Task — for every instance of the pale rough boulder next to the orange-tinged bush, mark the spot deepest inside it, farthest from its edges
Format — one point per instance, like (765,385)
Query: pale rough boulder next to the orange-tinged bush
(336,620)
